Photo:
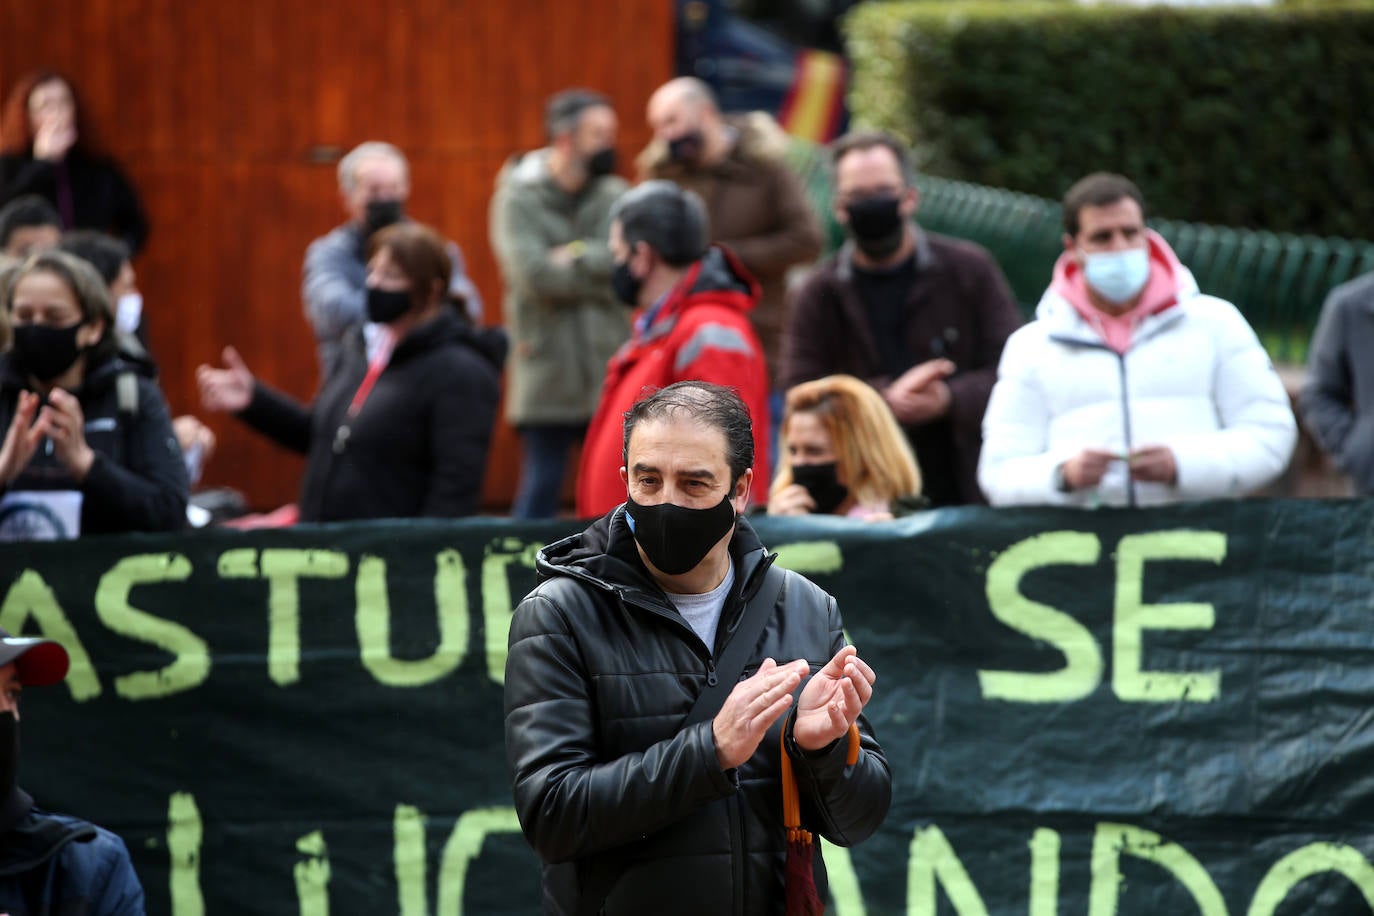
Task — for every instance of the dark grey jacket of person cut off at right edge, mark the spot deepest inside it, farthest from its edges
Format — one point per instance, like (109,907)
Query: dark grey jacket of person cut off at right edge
(1338,402)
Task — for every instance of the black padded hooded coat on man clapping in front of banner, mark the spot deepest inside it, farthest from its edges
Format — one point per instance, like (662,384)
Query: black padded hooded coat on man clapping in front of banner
(602,672)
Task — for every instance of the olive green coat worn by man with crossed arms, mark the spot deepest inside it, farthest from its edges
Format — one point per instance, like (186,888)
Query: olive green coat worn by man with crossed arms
(564,321)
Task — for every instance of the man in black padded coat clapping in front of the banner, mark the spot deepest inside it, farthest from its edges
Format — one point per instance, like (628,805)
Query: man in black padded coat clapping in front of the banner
(637,799)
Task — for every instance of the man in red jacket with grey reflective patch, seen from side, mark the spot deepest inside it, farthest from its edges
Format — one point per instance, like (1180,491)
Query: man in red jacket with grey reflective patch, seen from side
(692,323)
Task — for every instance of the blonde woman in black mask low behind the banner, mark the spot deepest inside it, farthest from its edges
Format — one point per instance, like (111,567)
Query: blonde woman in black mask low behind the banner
(843,454)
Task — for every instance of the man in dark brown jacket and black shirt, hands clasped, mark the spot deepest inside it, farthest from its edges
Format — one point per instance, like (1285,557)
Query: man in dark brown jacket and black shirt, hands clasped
(919,317)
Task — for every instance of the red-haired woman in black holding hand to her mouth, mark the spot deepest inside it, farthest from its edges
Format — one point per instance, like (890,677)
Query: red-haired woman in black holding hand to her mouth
(47,150)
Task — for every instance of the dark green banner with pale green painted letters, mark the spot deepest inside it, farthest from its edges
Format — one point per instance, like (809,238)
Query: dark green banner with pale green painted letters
(1152,712)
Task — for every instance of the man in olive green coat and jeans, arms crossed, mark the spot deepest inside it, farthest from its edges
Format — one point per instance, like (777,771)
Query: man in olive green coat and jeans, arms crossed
(550,220)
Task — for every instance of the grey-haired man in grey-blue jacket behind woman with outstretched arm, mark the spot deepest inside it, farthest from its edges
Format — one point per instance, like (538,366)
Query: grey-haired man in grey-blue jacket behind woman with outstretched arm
(374,185)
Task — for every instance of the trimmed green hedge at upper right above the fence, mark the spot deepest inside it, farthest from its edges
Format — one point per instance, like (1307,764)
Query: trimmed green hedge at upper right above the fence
(1240,116)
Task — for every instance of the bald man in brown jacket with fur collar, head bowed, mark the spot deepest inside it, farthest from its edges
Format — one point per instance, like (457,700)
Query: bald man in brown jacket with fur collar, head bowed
(756,204)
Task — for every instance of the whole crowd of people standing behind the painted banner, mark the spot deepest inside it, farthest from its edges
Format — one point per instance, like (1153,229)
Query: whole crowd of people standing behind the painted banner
(891,377)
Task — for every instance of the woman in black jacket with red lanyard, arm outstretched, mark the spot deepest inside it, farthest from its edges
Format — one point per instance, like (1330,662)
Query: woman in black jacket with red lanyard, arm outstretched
(403,424)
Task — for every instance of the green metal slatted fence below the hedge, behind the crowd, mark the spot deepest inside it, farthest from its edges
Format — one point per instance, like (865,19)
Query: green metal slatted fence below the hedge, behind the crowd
(1279,281)
